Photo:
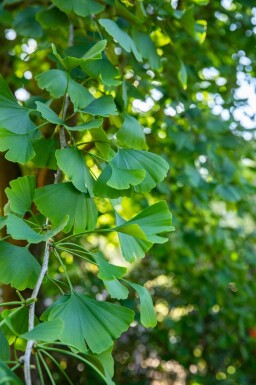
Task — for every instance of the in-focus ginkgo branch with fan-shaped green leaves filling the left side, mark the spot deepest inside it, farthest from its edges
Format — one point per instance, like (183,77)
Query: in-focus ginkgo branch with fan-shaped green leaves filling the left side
(66,128)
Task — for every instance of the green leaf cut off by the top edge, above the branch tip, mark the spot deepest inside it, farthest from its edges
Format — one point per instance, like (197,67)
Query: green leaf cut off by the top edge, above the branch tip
(80,7)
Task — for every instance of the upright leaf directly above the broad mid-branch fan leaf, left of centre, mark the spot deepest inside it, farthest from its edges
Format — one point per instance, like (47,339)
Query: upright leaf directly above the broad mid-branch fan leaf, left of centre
(72,163)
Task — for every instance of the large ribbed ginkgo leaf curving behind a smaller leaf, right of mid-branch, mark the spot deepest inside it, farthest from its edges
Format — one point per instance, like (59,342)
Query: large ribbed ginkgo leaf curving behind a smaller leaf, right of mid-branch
(155,167)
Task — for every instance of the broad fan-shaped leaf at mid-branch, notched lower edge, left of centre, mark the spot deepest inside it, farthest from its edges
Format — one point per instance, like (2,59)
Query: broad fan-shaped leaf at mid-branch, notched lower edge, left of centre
(53,200)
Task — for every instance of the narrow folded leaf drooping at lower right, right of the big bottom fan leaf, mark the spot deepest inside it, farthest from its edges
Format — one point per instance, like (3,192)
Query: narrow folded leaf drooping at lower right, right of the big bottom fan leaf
(147,311)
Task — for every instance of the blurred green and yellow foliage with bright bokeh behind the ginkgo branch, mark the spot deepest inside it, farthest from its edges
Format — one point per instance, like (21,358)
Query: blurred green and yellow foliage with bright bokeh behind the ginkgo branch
(190,90)
